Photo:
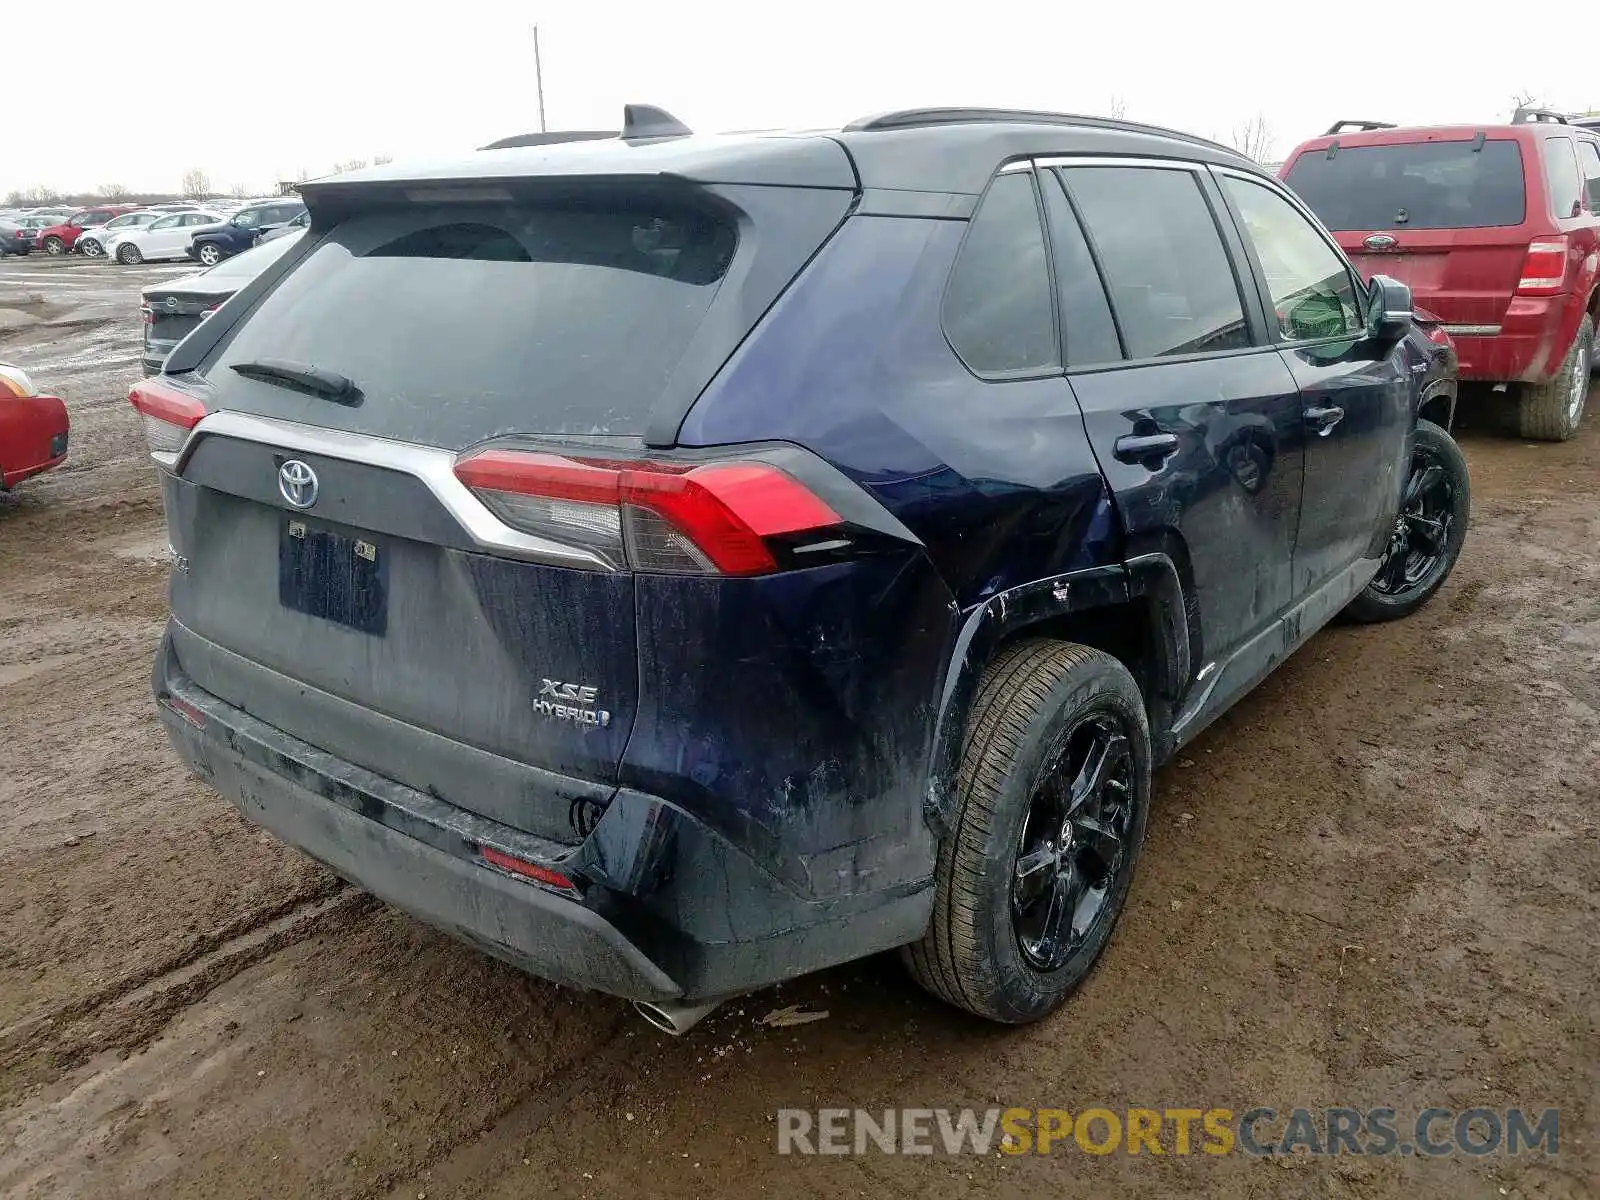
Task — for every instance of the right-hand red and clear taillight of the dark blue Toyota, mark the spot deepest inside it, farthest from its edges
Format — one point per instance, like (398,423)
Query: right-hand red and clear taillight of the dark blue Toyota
(686,519)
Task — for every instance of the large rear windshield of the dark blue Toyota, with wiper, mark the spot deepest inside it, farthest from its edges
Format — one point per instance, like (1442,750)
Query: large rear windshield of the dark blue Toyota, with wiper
(470,321)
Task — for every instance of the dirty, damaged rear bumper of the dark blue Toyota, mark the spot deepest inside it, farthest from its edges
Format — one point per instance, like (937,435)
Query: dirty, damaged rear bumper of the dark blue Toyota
(663,906)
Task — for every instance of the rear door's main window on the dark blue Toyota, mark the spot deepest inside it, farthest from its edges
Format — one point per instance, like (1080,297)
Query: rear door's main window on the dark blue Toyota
(1172,286)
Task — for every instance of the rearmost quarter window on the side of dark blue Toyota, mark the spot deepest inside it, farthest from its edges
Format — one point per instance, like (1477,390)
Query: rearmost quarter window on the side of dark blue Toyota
(998,311)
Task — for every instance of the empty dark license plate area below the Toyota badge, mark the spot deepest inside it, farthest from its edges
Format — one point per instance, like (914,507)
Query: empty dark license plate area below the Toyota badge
(337,577)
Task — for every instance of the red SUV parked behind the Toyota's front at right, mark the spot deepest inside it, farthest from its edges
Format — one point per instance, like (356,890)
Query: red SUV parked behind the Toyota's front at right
(1497,228)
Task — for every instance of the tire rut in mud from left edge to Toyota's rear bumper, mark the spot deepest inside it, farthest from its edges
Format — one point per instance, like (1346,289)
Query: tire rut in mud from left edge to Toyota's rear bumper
(132,1010)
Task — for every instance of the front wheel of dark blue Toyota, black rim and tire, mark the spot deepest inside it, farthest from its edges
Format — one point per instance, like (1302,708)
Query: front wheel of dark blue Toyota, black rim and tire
(1428,534)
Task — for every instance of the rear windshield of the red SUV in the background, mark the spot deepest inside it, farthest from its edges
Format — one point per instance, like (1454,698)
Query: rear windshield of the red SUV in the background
(1414,186)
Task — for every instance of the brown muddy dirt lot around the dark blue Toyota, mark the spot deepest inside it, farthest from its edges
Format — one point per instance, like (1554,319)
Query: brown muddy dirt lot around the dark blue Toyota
(1375,882)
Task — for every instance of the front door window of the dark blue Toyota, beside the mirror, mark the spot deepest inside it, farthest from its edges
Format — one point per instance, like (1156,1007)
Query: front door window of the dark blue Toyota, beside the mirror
(1311,287)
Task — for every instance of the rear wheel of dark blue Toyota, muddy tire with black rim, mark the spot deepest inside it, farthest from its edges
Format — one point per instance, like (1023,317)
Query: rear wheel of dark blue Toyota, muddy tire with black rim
(1036,705)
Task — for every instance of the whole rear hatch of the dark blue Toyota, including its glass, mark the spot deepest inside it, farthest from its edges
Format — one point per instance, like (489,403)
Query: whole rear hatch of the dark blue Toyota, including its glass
(346,578)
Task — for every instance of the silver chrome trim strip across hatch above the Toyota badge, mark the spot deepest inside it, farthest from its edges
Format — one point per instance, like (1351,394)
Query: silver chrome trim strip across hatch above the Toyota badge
(430,465)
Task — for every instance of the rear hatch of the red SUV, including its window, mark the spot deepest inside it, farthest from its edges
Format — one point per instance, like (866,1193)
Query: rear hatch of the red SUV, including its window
(1449,214)
